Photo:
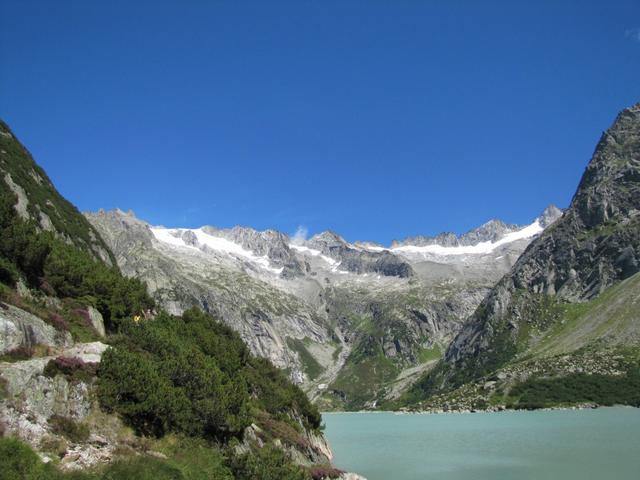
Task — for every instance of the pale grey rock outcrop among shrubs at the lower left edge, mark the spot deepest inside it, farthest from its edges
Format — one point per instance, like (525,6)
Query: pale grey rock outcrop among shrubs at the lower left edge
(30,399)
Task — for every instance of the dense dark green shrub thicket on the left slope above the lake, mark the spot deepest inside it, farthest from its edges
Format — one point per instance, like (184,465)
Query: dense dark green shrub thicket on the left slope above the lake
(195,376)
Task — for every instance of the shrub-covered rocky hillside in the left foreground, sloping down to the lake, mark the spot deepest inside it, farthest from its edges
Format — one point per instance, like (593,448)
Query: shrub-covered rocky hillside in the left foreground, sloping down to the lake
(93,373)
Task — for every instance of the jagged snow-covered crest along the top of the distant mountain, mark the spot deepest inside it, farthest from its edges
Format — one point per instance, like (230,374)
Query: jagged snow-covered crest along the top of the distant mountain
(272,252)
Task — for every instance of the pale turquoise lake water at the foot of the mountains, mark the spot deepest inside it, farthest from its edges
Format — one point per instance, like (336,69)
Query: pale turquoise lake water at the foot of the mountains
(602,444)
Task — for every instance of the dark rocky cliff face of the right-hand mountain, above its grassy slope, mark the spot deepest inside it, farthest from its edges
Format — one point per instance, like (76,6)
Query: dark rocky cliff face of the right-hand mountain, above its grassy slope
(595,245)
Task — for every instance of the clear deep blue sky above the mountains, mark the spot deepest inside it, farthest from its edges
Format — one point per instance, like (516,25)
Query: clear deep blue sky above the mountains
(376,119)
